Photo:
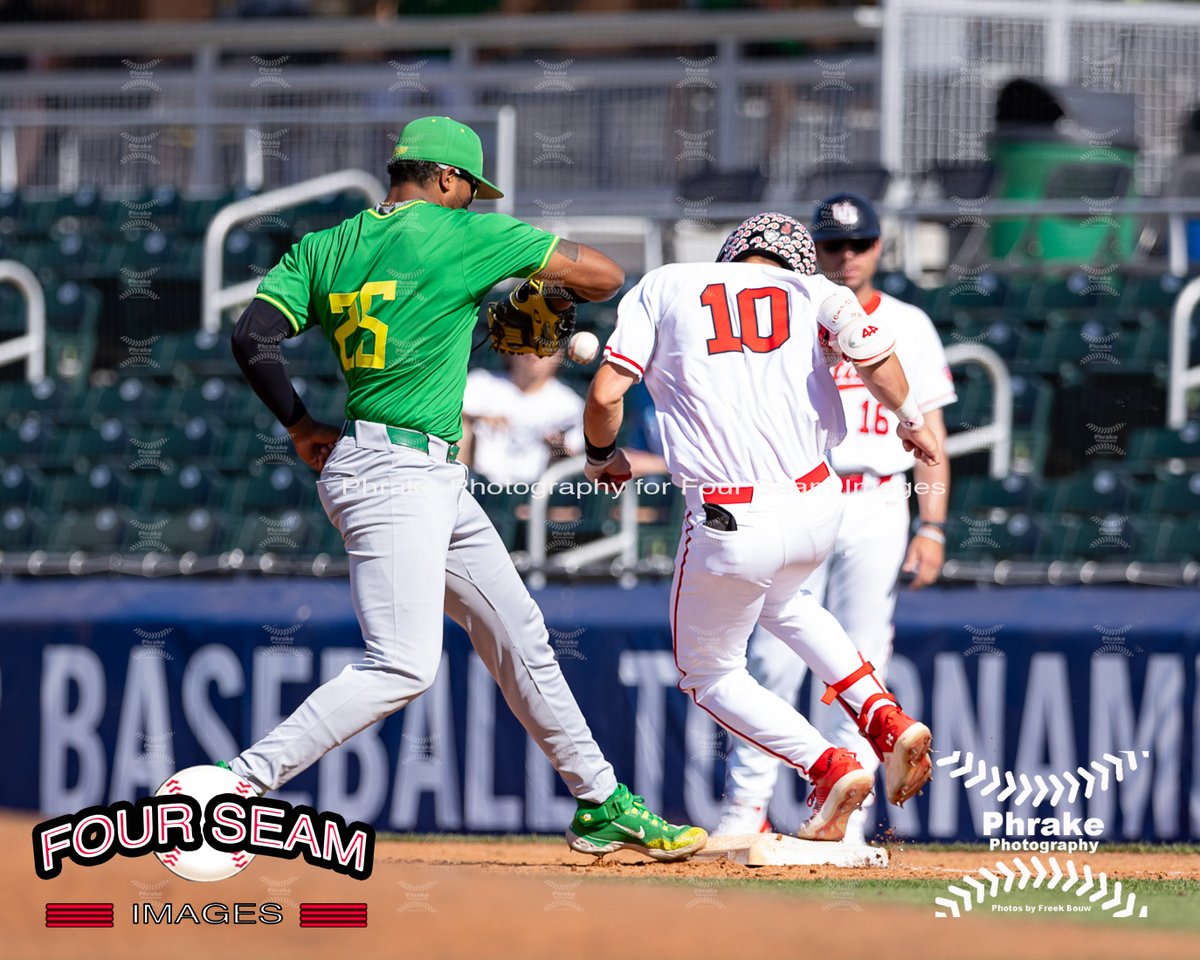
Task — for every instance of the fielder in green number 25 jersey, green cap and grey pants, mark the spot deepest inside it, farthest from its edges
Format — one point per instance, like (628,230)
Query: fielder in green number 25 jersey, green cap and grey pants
(397,291)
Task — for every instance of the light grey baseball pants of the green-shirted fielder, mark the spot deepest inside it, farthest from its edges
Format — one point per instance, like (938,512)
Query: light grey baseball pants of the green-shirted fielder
(421,547)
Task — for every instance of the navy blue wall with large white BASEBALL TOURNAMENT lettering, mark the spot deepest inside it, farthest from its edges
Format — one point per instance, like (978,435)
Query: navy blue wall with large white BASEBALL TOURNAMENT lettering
(110,686)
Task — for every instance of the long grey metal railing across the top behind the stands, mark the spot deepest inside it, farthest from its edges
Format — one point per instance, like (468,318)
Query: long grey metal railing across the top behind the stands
(238,105)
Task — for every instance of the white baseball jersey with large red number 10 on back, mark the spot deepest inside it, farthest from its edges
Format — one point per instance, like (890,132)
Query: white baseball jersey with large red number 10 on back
(731,357)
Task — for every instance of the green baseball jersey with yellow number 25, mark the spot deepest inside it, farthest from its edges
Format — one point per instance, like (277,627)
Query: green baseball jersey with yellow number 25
(398,296)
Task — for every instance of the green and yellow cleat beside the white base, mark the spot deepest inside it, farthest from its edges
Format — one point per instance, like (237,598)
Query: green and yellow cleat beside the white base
(622,823)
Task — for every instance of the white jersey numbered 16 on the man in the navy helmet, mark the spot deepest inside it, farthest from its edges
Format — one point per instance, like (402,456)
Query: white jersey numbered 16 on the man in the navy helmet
(872,445)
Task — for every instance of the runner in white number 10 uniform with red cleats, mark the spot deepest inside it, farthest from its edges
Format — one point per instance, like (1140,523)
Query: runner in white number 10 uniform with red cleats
(733,358)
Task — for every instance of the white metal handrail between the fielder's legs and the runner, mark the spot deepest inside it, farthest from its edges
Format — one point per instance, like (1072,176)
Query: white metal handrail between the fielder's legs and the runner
(621,548)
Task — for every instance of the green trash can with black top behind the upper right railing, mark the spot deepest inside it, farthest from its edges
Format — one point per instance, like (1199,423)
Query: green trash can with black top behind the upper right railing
(1067,143)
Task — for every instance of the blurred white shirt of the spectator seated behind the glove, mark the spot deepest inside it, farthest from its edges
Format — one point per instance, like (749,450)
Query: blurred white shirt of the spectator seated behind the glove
(517,452)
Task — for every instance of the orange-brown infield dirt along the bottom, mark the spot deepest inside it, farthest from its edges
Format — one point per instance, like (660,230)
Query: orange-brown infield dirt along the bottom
(452,899)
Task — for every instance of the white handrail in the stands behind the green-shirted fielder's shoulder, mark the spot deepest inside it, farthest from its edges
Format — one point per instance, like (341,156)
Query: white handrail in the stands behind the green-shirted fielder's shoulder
(218,298)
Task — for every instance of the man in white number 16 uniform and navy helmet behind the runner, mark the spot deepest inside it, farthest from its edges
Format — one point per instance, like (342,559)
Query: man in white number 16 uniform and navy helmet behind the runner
(857,581)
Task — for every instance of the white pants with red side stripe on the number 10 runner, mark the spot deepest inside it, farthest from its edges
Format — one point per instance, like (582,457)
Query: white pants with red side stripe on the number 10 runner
(727,583)
